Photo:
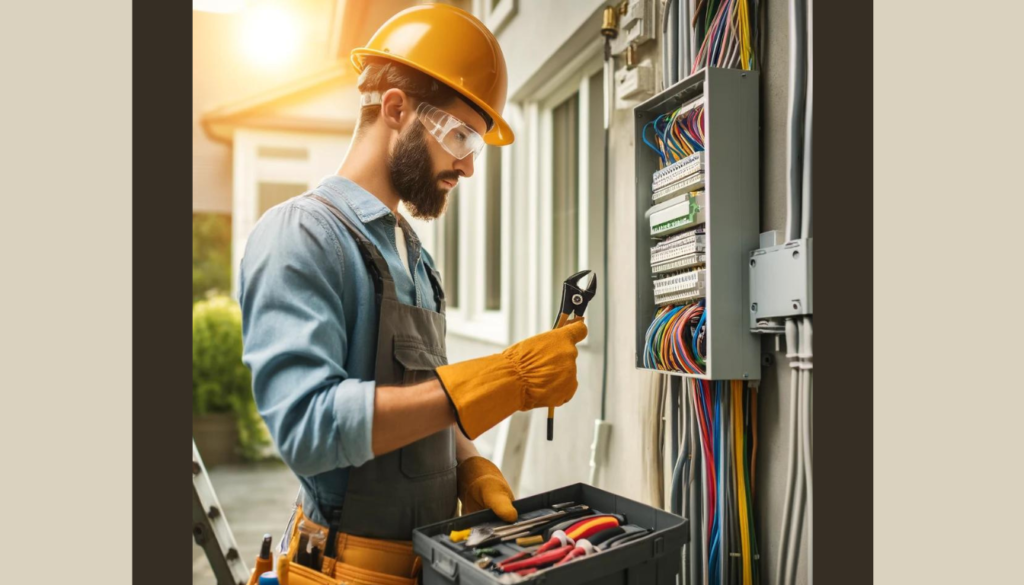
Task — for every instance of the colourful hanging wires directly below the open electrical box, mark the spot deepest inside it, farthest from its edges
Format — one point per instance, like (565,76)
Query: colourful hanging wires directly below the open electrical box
(727,423)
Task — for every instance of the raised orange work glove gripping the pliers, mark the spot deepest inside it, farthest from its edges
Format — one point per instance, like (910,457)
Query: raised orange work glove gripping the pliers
(537,372)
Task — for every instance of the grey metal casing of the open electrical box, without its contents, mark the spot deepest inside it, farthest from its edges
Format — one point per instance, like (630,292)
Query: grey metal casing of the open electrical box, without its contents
(733,171)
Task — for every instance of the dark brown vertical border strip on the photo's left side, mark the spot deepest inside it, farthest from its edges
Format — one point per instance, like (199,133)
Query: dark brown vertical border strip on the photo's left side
(161,348)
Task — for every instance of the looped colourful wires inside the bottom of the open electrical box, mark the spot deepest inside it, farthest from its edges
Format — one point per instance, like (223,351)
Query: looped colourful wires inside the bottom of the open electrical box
(676,340)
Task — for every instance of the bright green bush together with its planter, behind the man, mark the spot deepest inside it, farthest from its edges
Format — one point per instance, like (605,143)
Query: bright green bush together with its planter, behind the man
(226,425)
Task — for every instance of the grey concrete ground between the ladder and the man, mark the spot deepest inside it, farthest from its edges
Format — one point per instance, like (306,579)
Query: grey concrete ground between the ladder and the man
(257,499)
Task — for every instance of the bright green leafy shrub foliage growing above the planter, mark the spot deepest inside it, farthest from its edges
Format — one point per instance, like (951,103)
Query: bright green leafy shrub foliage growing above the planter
(222,384)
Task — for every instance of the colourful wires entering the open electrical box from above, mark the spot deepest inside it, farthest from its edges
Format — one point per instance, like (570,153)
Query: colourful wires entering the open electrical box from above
(727,33)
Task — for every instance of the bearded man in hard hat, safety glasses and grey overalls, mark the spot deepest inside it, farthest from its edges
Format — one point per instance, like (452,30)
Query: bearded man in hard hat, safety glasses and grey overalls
(344,312)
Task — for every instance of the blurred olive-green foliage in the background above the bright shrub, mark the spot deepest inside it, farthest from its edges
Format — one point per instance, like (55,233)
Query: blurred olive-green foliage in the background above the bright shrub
(211,255)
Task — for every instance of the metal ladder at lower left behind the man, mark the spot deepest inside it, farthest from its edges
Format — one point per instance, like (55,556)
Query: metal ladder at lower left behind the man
(211,531)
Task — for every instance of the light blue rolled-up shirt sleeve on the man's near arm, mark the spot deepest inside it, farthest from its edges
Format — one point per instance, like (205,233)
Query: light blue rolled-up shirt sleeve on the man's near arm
(295,343)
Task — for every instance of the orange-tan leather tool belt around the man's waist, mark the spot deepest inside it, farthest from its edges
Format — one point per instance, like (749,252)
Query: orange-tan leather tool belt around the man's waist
(359,562)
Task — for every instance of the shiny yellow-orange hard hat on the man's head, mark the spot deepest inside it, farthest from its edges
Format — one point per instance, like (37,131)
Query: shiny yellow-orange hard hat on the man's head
(454,48)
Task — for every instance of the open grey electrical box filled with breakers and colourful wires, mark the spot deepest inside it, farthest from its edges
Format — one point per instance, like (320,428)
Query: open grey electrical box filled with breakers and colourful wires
(698,220)
